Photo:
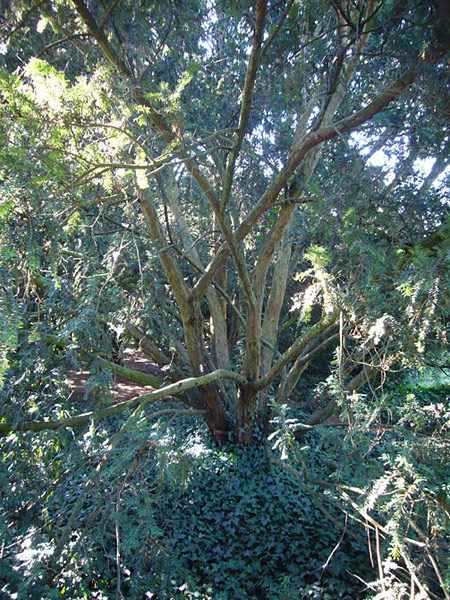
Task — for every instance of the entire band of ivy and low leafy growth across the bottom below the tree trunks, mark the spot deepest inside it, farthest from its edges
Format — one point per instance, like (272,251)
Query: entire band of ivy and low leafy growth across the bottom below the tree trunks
(170,516)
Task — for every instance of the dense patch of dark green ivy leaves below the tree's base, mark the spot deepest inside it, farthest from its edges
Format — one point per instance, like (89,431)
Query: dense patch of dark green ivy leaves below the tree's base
(240,528)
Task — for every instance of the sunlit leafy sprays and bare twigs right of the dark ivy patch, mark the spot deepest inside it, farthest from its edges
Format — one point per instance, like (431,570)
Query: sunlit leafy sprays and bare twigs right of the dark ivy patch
(389,470)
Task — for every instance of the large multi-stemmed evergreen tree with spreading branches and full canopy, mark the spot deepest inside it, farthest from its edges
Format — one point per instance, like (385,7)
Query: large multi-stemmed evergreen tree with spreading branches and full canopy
(241,135)
